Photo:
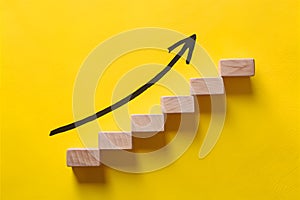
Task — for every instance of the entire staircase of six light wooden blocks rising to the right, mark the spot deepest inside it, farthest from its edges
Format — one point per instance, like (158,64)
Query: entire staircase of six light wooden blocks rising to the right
(83,157)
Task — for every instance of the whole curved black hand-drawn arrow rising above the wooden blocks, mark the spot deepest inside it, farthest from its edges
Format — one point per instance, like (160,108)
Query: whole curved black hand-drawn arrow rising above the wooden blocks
(188,43)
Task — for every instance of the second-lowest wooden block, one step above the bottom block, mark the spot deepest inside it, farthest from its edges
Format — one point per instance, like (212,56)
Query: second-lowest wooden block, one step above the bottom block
(115,140)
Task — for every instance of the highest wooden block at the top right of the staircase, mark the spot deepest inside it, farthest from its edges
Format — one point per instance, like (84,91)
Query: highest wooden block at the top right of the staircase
(237,67)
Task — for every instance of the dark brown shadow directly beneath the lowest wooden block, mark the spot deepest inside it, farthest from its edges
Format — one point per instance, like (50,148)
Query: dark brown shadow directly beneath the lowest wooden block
(90,174)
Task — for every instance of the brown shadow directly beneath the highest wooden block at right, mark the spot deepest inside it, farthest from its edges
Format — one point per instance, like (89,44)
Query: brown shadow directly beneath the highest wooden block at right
(237,85)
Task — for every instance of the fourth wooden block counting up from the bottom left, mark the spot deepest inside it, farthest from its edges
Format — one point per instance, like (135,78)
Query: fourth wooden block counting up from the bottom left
(177,104)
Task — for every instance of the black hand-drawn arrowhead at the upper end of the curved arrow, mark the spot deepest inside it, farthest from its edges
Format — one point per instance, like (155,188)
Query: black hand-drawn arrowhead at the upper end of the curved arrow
(188,43)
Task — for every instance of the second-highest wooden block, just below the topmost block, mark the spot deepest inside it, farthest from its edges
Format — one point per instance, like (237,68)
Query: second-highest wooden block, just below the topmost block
(207,86)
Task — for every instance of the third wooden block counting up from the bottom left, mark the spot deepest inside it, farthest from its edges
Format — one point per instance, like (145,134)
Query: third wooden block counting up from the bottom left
(147,123)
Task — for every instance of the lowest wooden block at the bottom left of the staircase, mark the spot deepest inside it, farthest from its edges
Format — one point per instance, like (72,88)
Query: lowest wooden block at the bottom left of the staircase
(83,157)
